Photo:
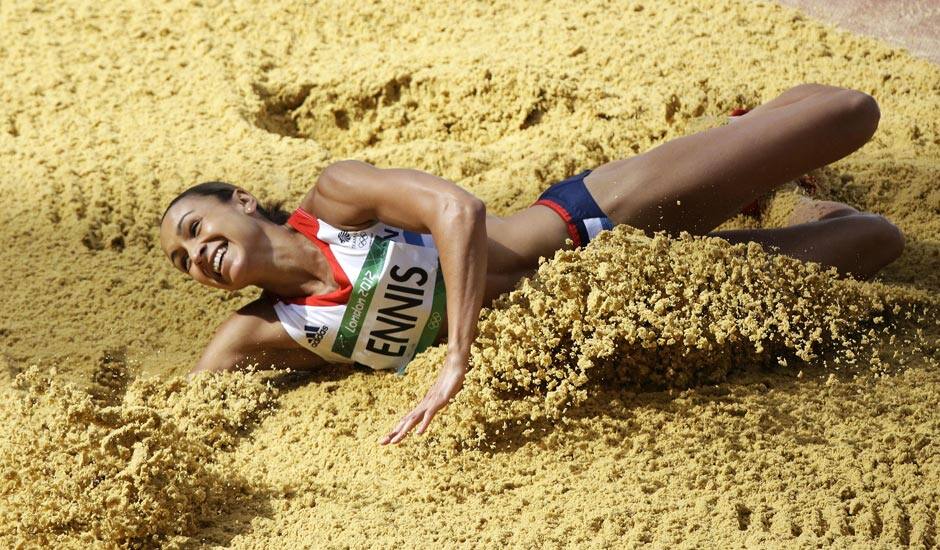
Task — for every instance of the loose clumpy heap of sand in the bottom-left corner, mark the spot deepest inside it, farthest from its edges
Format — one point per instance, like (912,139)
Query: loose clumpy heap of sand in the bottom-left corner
(137,472)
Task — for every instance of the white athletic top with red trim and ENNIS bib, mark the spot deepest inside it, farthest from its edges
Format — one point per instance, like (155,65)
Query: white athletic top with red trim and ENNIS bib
(390,302)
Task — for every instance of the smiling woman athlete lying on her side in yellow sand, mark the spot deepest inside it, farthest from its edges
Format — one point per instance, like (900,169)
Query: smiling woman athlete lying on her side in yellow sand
(357,274)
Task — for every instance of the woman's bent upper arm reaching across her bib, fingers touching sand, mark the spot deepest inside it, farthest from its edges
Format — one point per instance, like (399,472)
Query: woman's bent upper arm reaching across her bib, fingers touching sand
(353,194)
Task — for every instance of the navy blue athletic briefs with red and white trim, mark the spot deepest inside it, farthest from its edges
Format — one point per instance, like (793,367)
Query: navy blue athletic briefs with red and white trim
(572,201)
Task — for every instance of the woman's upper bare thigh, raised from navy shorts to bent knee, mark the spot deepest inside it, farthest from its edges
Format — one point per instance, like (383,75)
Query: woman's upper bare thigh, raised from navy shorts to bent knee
(694,183)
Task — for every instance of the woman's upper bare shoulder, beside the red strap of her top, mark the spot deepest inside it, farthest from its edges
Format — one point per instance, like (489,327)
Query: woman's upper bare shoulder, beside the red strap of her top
(340,196)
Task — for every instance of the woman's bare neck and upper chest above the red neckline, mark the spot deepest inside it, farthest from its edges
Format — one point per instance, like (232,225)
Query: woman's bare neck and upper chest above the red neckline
(297,266)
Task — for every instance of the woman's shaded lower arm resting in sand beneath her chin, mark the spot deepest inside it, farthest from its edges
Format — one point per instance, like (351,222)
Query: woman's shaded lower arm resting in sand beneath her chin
(254,336)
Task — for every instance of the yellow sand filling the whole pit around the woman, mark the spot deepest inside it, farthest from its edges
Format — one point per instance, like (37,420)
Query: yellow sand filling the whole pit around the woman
(107,111)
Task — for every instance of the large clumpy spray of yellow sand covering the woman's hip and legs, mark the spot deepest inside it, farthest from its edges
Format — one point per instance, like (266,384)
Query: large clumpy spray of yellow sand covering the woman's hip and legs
(638,312)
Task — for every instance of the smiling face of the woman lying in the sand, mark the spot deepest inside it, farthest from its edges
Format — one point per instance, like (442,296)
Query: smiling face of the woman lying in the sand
(212,240)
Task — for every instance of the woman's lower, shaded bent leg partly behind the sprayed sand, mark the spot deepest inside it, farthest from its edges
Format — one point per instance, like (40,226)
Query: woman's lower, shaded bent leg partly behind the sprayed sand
(859,243)
